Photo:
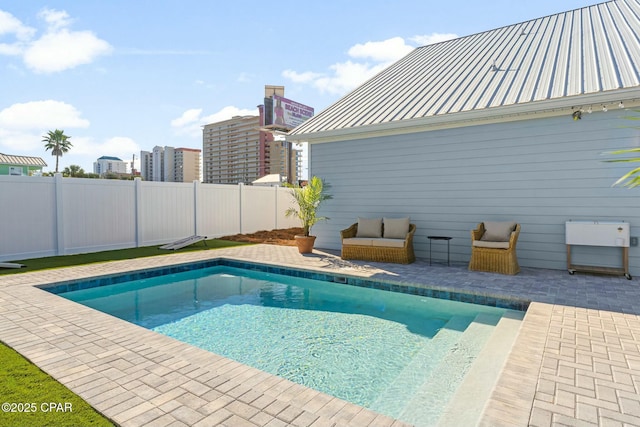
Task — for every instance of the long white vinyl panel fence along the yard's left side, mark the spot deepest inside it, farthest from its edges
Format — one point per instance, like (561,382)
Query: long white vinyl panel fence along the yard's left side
(46,216)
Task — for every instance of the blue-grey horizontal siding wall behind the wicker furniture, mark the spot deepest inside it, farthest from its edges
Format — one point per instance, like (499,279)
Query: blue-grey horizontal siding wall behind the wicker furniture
(539,172)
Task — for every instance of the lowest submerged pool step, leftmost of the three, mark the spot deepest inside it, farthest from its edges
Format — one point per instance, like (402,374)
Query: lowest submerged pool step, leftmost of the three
(406,384)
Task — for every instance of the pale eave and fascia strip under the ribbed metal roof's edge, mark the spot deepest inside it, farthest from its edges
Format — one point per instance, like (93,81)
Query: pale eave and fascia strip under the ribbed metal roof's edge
(510,113)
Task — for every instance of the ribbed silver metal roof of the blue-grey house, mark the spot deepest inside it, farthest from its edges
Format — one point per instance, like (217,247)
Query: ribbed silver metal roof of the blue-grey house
(589,51)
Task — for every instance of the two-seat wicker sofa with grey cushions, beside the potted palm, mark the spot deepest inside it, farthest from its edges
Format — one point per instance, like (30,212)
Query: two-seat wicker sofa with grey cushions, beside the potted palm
(378,246)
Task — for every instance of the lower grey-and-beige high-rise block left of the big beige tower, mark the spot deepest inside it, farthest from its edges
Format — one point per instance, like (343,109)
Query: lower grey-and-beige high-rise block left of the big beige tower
(170,164)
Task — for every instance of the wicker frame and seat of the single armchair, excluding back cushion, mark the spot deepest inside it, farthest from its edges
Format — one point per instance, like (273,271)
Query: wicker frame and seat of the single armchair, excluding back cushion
(495,257)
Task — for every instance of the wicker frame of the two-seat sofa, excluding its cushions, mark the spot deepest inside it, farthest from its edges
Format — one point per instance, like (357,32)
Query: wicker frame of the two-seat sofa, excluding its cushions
(400,255)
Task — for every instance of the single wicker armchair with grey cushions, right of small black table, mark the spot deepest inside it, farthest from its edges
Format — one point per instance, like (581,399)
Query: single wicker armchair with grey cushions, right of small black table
(493,247)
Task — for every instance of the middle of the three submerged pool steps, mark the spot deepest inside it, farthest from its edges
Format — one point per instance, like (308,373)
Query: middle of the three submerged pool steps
(443,381)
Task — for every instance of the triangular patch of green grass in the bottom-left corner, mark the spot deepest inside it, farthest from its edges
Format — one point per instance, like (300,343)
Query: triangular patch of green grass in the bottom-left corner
(35,399)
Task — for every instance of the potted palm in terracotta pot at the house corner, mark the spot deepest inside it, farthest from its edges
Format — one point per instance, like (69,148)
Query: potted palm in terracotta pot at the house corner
(307,200)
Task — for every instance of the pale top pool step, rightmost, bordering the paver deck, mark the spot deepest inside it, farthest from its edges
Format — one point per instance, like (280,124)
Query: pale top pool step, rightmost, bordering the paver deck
(468,403)
